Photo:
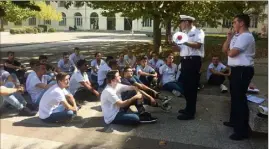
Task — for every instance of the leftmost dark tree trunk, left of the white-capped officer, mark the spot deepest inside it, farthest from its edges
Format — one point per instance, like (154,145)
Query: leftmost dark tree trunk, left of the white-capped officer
(156,33)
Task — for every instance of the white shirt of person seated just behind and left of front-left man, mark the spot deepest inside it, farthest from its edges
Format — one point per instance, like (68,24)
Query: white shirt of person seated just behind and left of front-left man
(31,82)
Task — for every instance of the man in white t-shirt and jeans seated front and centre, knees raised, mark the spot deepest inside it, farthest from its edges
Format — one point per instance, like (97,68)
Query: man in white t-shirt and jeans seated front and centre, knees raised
(114,107)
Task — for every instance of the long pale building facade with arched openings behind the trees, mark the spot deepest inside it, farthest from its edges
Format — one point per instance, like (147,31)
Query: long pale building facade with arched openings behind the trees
(86,18)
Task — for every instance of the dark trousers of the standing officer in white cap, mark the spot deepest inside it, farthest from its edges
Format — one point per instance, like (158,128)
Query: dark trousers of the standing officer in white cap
(190,68)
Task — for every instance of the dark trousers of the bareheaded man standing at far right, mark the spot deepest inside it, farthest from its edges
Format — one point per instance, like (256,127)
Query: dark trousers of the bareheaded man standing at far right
(239,116)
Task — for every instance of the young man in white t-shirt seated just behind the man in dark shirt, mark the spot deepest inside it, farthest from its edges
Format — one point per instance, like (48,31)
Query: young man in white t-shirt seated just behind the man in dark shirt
(146,74)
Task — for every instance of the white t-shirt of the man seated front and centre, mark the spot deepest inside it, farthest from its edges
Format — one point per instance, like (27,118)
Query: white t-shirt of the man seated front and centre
(108,98)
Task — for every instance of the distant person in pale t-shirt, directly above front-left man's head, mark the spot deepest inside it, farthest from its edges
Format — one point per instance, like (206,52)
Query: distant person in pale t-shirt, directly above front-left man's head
(65,65)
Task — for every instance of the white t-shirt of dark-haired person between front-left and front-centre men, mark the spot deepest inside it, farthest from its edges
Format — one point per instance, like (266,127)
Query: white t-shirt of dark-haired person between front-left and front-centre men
(75,80)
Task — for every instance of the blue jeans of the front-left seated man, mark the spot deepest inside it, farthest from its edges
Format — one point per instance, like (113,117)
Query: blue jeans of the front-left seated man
(60,114)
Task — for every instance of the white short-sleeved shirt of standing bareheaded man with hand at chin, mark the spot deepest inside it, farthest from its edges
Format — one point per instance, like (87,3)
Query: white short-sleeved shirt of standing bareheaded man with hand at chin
(245,43)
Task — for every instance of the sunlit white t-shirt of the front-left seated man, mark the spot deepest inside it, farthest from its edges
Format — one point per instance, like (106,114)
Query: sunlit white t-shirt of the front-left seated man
(51,100)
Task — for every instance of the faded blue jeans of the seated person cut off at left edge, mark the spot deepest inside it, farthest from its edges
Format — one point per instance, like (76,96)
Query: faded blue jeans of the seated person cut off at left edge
(15,99)
